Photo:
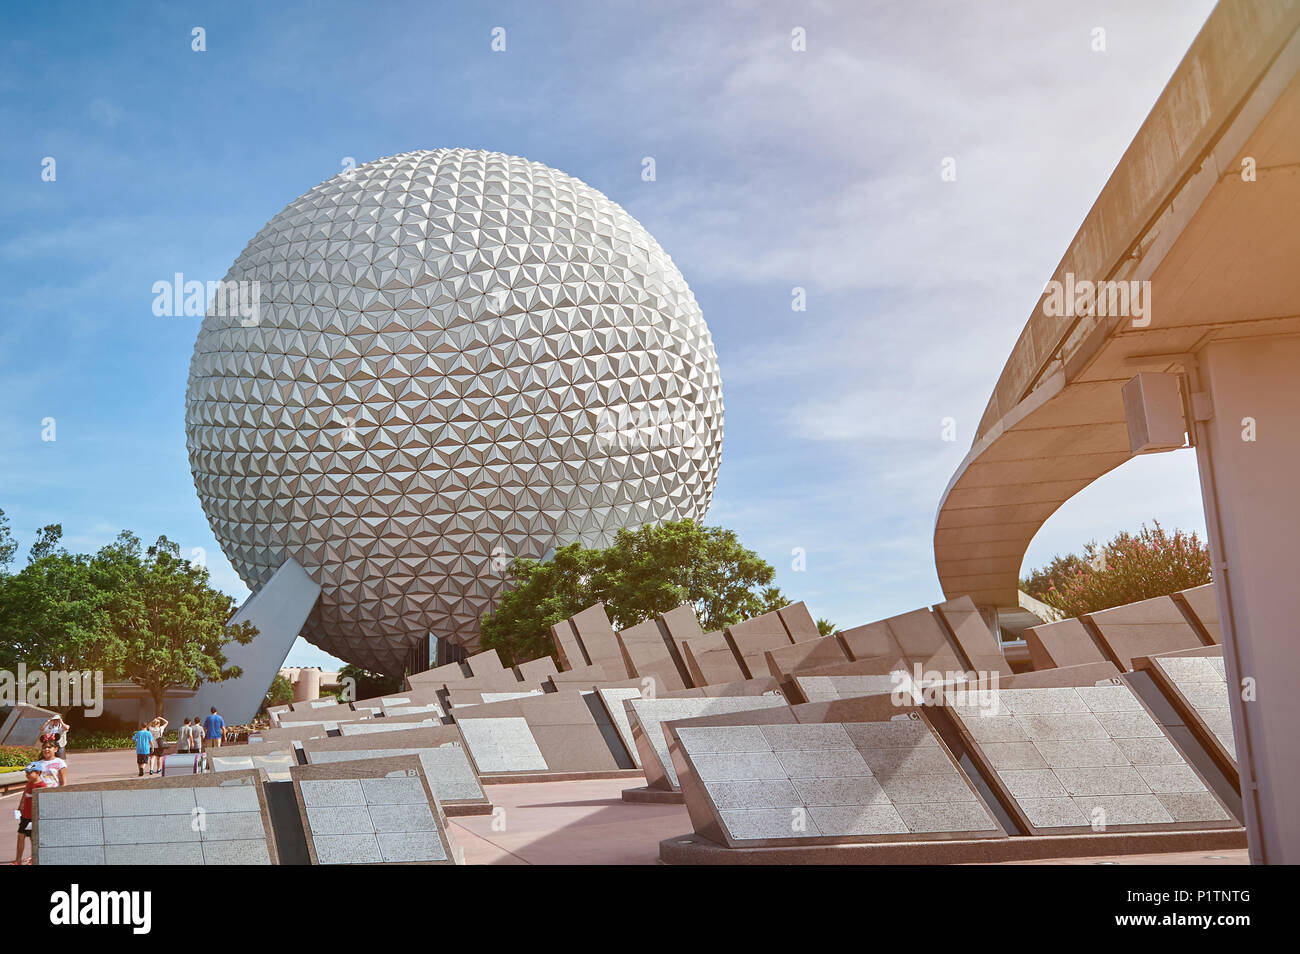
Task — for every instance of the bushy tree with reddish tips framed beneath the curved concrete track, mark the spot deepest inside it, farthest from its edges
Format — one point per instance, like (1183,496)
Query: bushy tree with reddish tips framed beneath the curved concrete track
(1129,569)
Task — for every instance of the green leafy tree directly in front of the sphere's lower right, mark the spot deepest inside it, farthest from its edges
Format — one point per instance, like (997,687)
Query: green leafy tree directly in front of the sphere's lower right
(647,573)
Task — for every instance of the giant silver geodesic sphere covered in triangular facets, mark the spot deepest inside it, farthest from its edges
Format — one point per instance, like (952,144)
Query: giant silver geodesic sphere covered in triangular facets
(445,361)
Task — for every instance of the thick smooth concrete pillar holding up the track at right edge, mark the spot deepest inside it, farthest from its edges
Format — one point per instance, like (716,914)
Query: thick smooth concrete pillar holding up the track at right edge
(1246,404)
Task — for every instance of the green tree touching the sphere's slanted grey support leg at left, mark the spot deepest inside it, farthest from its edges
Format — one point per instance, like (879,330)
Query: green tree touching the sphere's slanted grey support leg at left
(172,623)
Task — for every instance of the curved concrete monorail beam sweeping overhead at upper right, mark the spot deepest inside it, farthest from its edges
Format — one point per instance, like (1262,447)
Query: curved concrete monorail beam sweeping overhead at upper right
(1177,214)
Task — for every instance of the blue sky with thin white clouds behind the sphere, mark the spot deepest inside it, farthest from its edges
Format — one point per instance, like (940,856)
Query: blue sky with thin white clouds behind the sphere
(775,170)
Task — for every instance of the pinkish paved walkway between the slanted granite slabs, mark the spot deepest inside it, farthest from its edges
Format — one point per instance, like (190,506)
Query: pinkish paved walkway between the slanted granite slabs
(564,823)
